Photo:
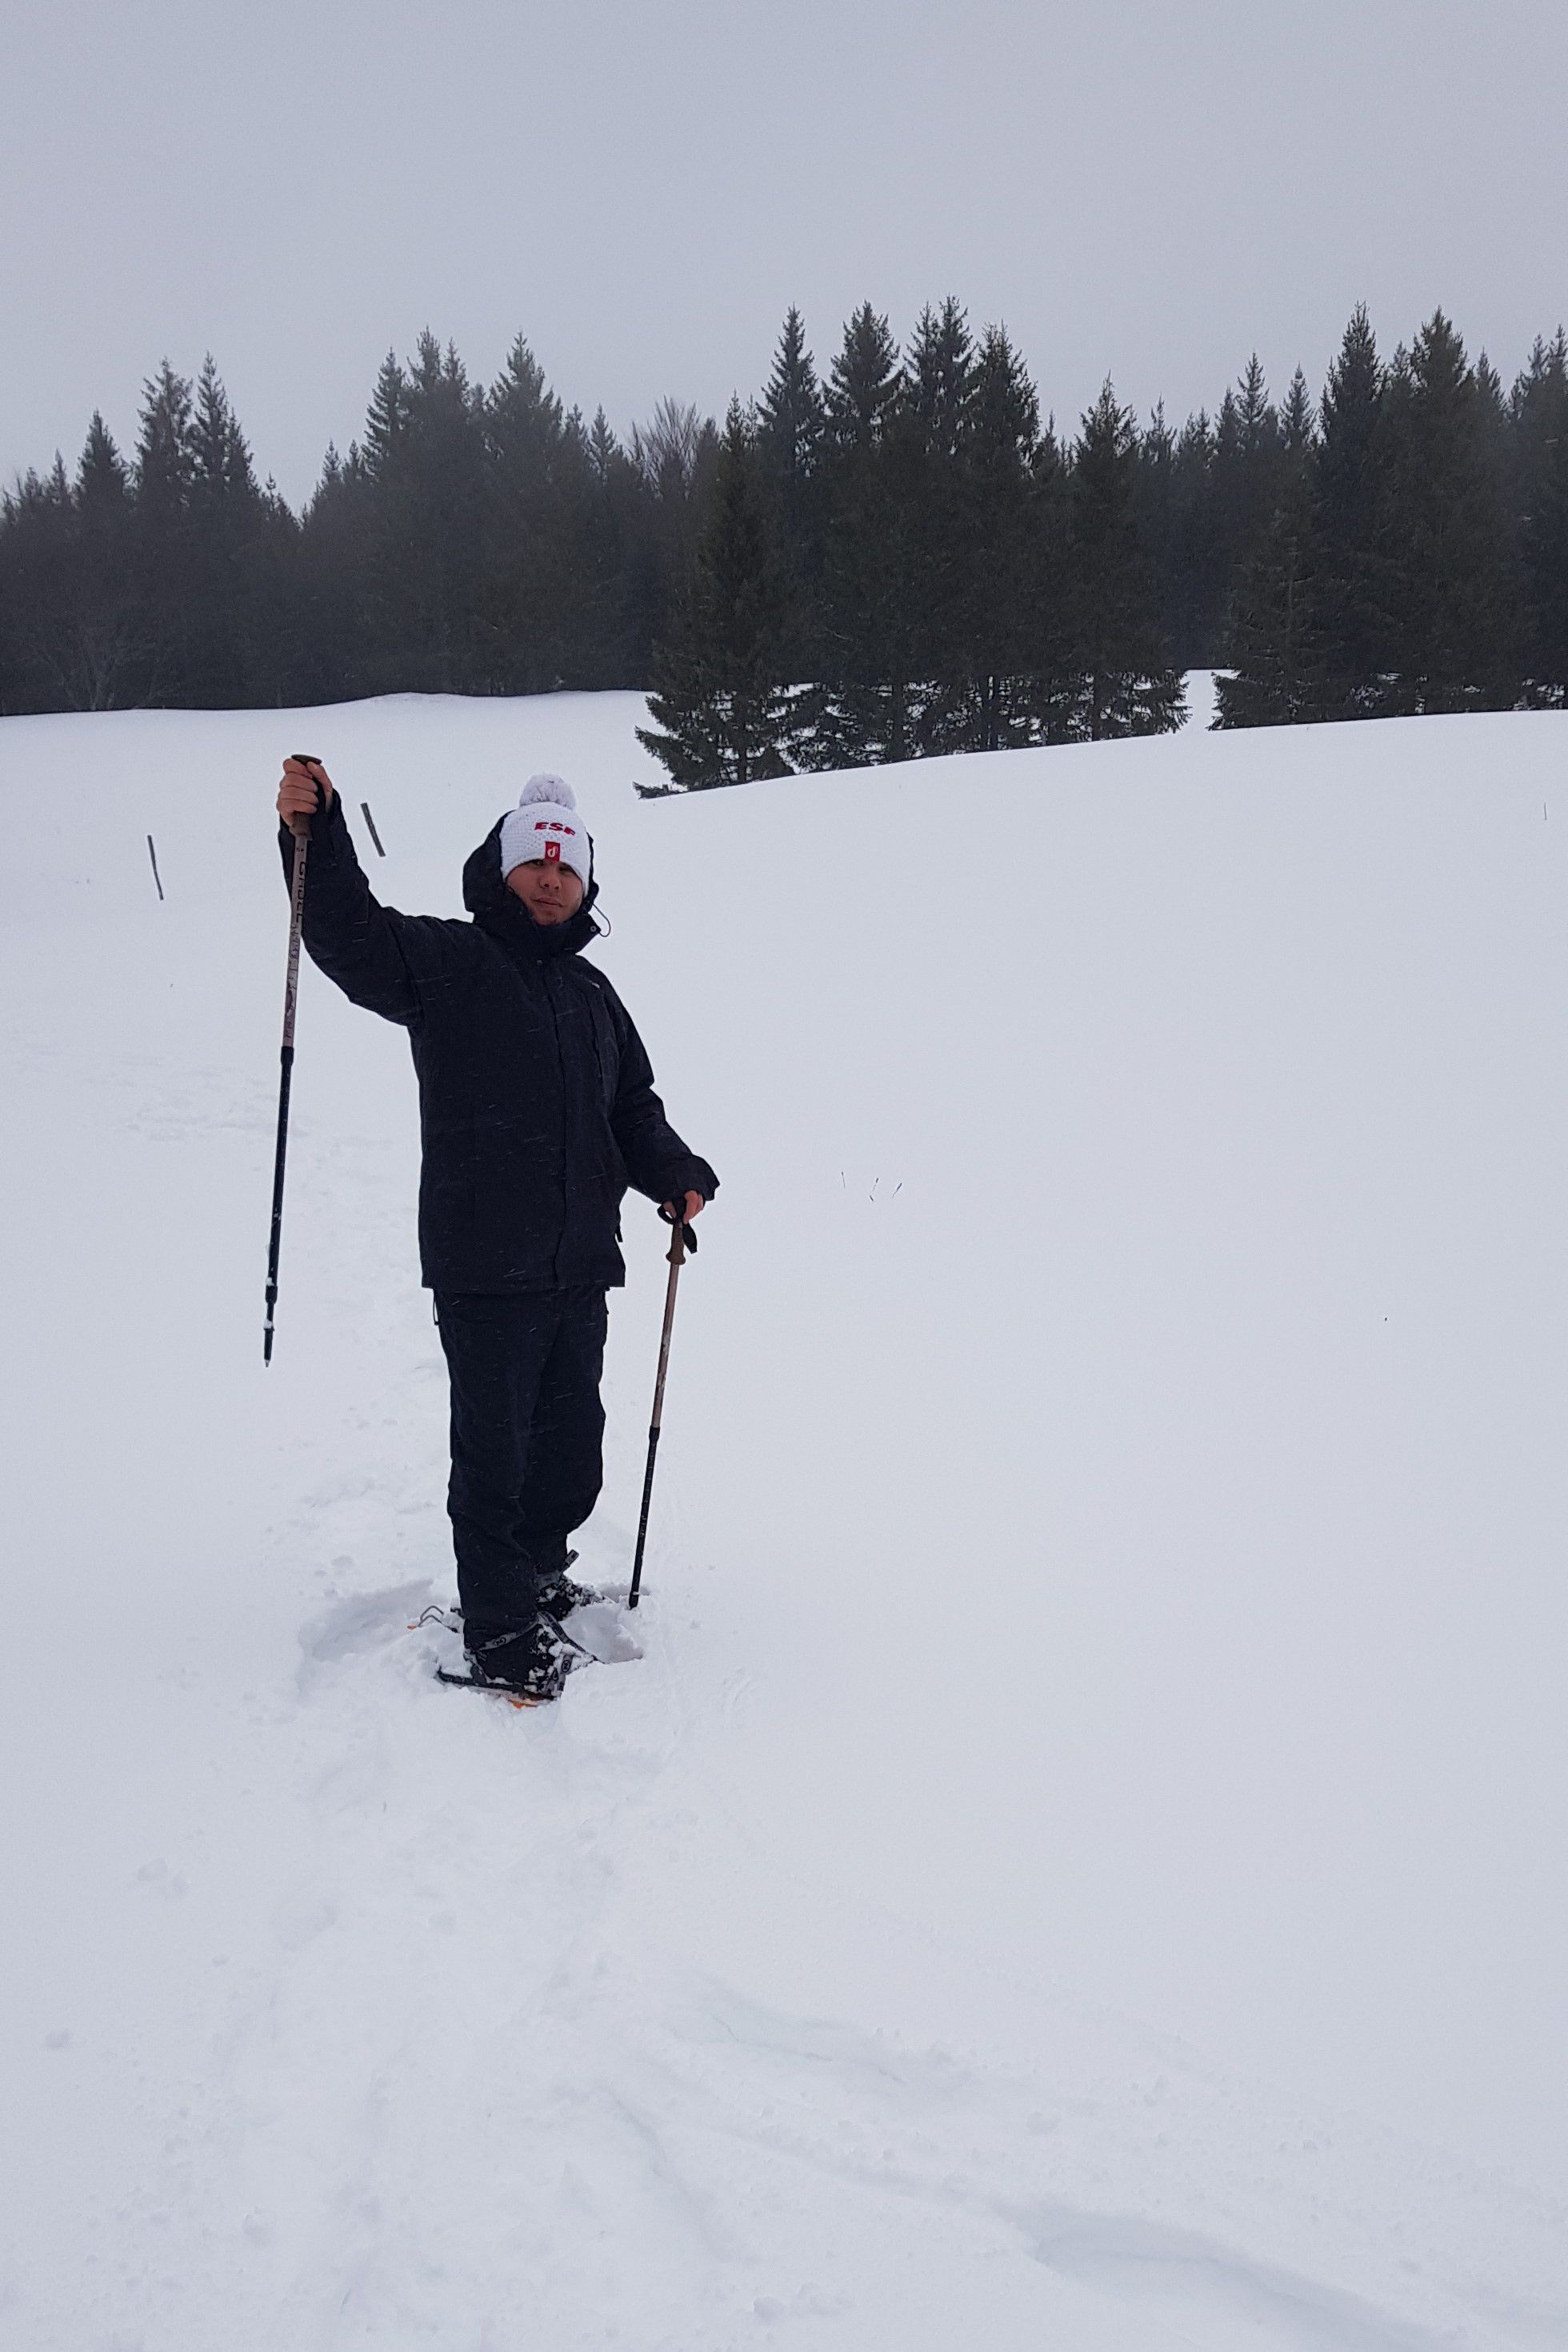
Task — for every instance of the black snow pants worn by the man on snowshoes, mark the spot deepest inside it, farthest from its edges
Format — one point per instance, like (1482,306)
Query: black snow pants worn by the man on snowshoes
(528,1434)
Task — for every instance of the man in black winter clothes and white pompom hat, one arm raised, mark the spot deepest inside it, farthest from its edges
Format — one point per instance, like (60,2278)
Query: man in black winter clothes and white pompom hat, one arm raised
(537,1111)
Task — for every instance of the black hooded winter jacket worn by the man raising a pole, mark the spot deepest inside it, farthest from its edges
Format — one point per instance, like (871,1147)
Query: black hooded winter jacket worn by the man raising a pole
(535,1093)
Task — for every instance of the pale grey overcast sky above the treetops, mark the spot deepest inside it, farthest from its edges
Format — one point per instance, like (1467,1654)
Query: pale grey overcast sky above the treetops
(1137,187)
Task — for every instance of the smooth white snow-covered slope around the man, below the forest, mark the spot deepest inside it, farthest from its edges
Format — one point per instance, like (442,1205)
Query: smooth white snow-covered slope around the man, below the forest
(1083,1857)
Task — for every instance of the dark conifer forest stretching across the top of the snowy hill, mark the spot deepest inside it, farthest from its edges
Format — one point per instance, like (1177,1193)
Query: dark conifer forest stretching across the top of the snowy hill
(883,561)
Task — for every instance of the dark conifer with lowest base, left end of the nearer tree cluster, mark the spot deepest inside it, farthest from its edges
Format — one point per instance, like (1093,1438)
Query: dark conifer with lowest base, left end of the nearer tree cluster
(723,714)
